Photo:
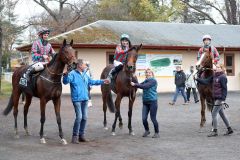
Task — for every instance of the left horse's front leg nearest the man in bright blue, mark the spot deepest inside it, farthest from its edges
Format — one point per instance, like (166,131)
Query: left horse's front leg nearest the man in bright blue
(57,104)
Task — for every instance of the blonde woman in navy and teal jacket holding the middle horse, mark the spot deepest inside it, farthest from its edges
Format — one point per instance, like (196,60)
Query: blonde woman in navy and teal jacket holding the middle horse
(149,98)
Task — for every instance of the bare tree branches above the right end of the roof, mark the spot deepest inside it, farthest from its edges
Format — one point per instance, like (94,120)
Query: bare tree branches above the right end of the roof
(201,11)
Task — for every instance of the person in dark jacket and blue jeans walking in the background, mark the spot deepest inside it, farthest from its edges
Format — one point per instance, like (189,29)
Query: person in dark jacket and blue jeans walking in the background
(180,79)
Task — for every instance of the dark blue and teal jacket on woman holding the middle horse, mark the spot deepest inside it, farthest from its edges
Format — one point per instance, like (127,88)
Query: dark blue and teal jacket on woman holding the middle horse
(149,87)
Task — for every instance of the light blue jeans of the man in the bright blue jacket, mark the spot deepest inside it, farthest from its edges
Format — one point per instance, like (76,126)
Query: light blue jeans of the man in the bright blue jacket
(81,111)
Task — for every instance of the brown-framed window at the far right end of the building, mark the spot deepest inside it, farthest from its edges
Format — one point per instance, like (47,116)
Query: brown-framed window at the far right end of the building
(229,63)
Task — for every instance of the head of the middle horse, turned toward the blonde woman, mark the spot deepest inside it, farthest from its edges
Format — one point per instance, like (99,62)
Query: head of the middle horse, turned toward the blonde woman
(131,59)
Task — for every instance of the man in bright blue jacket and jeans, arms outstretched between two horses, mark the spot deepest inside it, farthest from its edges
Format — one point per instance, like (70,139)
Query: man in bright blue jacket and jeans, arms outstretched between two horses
(79,82)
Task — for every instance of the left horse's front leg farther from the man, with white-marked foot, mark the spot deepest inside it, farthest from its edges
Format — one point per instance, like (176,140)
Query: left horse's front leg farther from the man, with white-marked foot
(42,119)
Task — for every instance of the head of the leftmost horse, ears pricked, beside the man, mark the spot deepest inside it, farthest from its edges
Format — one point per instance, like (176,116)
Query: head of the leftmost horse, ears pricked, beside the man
(67,53)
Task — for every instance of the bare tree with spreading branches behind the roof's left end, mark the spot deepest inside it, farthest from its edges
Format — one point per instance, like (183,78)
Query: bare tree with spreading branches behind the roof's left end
(65,16)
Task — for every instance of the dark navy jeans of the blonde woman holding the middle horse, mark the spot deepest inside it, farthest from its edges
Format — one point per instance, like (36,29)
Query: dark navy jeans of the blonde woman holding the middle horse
(151,107)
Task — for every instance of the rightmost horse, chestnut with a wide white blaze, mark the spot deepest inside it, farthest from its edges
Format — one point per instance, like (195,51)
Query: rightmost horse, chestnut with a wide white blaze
(205,70)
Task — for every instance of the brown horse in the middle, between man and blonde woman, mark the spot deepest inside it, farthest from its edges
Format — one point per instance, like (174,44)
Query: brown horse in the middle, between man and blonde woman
(122,88)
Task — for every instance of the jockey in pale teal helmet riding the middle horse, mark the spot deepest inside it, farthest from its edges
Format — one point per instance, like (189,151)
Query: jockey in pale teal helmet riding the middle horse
(120,54)
